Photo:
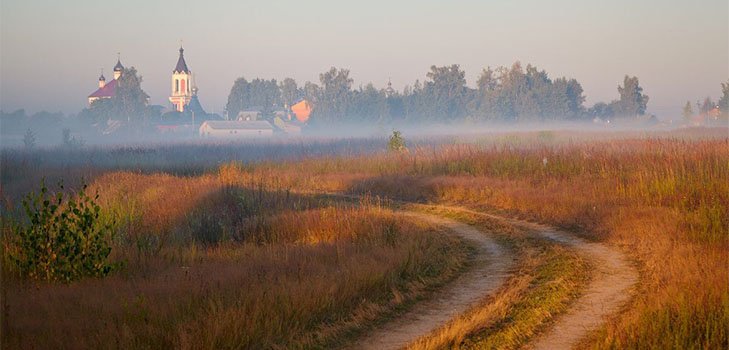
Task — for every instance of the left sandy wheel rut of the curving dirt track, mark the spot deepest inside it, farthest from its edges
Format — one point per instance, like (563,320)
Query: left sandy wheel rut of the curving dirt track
(490,269)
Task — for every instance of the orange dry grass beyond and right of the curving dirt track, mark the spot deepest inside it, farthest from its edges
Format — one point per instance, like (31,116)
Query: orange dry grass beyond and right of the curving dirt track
(664,201)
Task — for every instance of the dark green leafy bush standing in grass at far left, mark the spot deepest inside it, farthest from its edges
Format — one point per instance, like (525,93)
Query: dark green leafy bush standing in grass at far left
(61,240)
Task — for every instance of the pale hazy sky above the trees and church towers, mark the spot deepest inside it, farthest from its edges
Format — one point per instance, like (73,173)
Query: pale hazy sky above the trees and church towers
(51,51)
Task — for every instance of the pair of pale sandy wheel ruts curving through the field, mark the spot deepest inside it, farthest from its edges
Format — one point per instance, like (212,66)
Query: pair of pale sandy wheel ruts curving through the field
(612,278)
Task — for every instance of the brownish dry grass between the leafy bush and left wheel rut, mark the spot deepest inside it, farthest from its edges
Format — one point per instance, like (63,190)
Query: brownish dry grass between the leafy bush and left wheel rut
(294,271)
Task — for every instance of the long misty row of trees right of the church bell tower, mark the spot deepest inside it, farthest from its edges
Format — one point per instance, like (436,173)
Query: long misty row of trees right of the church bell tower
(503,94)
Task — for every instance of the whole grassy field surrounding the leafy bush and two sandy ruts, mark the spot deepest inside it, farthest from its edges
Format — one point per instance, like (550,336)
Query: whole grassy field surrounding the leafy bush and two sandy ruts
(307,245)
